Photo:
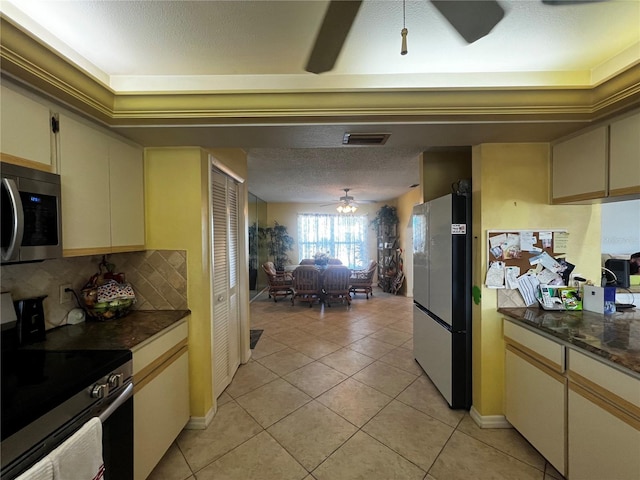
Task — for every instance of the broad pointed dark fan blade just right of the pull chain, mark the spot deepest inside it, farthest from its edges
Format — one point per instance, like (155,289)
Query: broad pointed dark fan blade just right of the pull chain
(471,19)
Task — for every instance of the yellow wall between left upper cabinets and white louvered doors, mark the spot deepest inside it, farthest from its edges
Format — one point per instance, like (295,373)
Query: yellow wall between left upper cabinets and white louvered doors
(176,193)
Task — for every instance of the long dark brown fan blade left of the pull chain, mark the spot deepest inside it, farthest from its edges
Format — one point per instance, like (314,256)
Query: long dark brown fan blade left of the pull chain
(332,34)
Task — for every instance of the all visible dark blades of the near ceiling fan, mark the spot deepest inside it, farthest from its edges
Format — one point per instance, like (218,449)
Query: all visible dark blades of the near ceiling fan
(472,19)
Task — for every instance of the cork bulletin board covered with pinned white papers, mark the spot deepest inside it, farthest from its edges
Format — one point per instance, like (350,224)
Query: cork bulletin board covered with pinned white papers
(523,259)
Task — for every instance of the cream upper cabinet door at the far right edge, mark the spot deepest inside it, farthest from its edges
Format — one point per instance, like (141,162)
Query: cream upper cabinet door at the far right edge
(624,159)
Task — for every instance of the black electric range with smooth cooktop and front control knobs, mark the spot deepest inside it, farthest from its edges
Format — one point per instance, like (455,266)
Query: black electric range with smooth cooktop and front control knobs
(47,395)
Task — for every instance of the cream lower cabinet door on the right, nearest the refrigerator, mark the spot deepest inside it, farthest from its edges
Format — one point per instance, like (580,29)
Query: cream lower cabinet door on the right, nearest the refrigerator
(533,393)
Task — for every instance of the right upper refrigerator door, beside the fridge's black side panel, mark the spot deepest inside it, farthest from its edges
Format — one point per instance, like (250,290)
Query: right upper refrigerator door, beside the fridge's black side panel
(440,259)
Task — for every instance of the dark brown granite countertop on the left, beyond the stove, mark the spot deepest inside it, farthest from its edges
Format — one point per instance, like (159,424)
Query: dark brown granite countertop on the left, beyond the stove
(121,334)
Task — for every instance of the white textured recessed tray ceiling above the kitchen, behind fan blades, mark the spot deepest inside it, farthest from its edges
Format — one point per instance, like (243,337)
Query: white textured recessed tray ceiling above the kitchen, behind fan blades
(124,43)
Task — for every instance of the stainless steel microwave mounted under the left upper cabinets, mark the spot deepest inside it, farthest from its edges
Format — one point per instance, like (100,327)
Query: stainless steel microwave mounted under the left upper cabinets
(31,223)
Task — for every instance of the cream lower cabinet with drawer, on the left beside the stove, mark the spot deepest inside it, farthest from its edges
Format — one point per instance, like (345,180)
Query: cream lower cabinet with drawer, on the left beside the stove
(161,396)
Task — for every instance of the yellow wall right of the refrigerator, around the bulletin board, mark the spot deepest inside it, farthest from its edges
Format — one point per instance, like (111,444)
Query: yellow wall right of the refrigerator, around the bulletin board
(510,192)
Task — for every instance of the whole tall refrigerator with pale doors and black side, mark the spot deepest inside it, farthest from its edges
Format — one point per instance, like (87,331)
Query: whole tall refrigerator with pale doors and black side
(442,294)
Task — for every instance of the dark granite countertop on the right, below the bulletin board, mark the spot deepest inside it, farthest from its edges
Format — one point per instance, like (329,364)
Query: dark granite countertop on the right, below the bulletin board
(615,338)
